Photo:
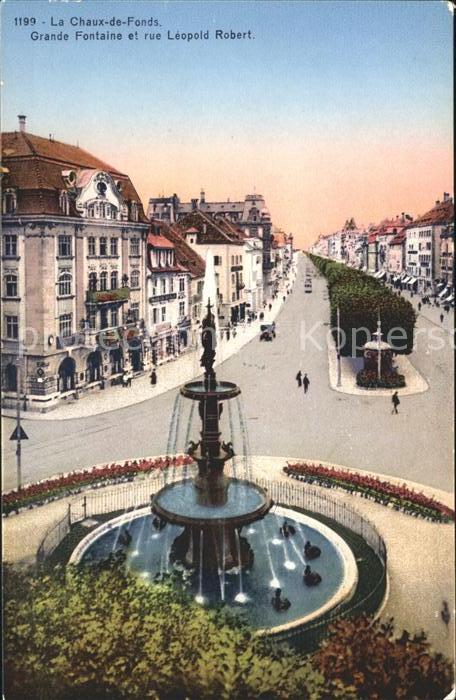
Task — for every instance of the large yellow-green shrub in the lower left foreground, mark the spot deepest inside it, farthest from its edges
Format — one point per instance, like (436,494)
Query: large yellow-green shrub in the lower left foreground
(106,634)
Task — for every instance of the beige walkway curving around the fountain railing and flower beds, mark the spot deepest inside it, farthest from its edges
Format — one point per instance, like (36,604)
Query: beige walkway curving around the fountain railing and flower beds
(420,553)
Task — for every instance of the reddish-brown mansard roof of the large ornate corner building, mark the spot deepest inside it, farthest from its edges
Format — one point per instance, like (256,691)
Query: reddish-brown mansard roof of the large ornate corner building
(35,167)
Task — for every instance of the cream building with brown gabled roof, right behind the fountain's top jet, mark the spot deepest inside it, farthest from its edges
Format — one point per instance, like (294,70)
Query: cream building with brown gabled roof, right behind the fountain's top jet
(202,232)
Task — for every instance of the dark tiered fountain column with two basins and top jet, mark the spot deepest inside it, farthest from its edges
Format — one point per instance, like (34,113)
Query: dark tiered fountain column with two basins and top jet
(212,507)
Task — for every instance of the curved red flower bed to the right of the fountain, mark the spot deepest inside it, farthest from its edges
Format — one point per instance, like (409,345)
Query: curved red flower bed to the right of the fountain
(399,497)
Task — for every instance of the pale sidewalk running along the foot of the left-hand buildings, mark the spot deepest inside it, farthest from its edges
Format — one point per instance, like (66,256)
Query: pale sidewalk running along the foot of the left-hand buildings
(170,375)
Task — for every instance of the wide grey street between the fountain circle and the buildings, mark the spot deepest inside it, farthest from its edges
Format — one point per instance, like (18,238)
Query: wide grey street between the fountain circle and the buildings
(357,431)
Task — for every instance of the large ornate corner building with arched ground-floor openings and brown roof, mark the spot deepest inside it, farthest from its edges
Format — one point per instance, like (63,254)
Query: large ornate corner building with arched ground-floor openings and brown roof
(73,253)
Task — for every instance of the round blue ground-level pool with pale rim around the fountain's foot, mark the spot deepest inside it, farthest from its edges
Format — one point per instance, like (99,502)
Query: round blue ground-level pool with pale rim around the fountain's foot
(278,563)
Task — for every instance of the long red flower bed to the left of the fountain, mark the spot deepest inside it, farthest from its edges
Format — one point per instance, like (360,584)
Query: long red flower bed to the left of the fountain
(73,482)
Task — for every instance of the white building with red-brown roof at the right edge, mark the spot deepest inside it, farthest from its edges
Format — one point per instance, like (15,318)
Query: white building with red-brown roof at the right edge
(423,245)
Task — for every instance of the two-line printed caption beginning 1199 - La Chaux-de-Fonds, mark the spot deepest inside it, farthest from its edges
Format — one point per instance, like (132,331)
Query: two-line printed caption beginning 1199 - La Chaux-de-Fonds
(119,29)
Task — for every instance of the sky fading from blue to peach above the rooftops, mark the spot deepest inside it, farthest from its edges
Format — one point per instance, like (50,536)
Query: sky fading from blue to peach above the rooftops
(329,110)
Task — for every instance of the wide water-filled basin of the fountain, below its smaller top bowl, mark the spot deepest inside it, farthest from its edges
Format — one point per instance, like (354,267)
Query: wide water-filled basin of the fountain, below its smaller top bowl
(181,503)
